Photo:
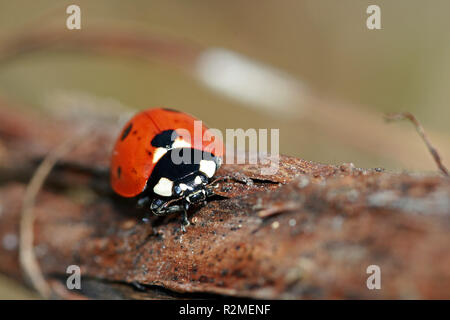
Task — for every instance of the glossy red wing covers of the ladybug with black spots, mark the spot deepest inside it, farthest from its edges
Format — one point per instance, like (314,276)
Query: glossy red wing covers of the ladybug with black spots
(132,159)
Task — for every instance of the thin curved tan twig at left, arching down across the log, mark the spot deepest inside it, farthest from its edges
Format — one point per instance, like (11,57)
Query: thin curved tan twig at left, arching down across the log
(27,257)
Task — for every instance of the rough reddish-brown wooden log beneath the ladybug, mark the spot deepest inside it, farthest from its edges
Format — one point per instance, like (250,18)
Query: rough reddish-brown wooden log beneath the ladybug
(310,231)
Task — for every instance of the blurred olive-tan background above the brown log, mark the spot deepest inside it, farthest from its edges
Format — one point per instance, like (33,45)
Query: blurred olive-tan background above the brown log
(353,75)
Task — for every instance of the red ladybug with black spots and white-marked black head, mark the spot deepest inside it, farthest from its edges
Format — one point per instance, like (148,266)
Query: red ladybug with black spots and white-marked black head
(143,161)
